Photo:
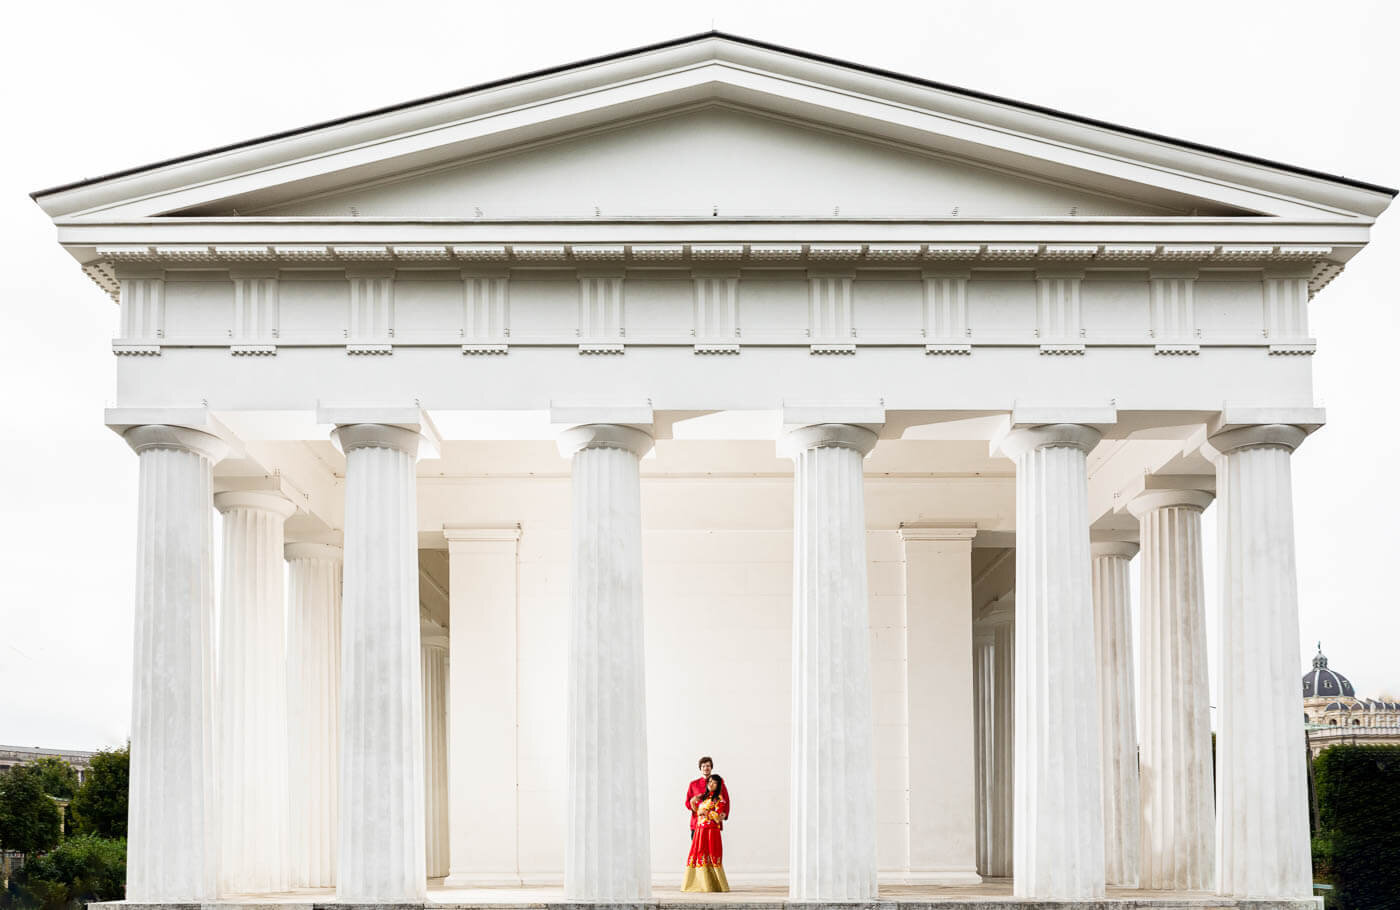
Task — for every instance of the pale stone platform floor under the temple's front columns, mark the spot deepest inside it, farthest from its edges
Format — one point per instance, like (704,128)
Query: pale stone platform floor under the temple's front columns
(990,895)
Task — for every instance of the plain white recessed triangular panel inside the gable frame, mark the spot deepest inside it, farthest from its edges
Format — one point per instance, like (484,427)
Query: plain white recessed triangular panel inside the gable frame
(710,162)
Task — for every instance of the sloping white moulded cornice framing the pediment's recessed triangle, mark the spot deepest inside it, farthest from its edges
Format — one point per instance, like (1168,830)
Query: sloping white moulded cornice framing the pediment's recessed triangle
(724,71)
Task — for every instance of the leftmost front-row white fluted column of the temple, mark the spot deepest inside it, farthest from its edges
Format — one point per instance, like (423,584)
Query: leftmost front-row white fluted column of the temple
(173,817)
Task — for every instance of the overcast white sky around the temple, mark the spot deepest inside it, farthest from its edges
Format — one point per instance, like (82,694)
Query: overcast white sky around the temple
(94,87)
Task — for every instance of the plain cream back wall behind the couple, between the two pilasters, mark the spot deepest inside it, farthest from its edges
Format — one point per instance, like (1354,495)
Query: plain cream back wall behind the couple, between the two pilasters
(719,682)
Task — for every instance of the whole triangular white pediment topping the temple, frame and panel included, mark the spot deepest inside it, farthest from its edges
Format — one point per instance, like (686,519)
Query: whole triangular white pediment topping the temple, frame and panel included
(720,127)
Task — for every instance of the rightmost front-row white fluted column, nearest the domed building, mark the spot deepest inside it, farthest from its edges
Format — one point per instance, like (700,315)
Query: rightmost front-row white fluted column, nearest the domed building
(1262,790)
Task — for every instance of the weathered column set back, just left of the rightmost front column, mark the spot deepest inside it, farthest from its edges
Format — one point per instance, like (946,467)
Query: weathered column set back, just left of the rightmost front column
(1178,778)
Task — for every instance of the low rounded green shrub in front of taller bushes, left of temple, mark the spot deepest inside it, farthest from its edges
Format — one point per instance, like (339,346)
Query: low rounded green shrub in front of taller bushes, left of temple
(79,871)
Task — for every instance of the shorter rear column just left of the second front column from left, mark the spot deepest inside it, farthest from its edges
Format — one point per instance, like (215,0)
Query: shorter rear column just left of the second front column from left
(314,709)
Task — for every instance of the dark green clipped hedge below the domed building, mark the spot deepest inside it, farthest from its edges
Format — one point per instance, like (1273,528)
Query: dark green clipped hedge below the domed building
(1359,800)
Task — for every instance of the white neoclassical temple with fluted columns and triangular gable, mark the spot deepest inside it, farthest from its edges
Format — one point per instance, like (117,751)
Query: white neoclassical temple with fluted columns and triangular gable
(713,398)
